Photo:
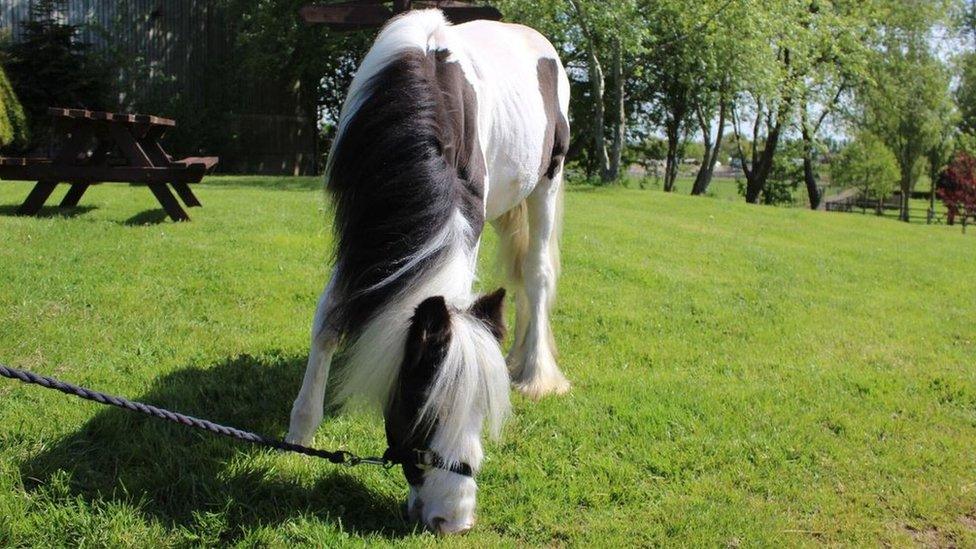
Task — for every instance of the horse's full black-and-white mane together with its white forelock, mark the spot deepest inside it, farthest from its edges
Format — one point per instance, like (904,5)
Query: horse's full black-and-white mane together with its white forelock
(407,186)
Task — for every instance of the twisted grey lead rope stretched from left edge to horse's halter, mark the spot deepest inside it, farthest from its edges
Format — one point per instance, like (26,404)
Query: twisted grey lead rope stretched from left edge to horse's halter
(339,457)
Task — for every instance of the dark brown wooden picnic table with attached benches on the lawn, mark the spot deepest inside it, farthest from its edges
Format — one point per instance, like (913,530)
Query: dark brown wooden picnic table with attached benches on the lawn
(109,147)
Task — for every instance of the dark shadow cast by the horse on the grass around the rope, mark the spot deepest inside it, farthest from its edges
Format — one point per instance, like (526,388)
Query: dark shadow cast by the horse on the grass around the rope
(176,475)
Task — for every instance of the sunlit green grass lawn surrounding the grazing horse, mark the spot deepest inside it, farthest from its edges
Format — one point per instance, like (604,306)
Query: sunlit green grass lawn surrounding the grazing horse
(742,375)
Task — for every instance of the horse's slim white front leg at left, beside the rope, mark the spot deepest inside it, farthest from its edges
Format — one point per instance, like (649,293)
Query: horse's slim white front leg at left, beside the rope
(307,412)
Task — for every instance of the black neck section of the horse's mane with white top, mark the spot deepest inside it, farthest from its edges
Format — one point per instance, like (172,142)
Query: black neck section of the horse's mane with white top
(396,190)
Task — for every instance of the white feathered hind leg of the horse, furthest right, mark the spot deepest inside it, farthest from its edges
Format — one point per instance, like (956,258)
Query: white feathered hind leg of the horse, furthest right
(532,360)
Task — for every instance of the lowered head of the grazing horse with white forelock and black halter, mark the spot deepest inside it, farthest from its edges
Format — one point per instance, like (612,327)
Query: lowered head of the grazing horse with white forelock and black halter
(453,379)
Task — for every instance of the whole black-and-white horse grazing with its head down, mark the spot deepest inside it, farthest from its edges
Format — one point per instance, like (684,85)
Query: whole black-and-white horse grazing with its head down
(445,127)
